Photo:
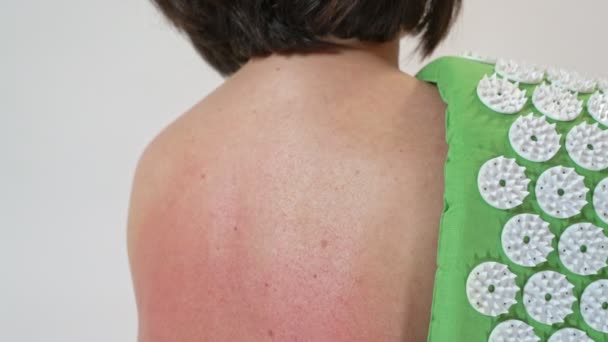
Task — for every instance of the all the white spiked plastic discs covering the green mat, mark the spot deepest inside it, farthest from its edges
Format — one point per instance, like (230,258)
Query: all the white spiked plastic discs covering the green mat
(560,191)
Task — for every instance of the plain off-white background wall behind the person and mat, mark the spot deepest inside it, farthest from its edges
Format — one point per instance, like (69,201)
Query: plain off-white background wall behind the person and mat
(84,85)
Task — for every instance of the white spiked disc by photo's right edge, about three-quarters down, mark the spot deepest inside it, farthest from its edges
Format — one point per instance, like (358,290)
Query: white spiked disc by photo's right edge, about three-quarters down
(583,248)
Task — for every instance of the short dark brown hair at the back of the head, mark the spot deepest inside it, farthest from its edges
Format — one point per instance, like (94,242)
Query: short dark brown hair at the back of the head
(227,33)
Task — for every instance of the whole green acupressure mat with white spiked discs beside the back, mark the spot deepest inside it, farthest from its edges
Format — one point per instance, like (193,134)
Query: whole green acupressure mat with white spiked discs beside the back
(523,247)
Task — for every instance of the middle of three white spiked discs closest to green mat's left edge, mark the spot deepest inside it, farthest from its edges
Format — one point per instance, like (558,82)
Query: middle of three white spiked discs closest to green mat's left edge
(502,183)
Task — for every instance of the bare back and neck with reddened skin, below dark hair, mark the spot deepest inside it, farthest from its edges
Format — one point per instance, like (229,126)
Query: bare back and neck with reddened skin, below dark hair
(299,201)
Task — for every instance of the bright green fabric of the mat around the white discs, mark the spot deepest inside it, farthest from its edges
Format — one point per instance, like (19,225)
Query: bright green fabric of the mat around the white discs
(470,230)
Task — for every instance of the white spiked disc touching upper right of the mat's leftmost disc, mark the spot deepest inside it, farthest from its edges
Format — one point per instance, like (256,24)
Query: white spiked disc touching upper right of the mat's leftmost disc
(526,240)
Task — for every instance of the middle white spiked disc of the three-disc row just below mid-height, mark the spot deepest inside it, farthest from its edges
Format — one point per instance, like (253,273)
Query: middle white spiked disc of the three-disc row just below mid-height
(561,192)
